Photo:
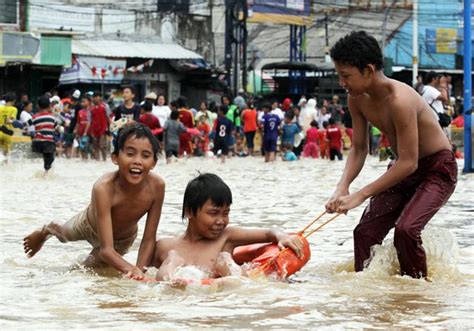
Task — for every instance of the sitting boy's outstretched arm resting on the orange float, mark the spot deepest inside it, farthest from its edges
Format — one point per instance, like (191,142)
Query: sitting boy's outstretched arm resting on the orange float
(238,236)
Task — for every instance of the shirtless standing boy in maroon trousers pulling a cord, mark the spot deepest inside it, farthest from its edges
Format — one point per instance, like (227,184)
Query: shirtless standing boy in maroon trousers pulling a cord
(421,179)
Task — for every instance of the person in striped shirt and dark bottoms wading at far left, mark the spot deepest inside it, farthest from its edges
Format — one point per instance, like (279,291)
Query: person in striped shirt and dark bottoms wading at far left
(45,126)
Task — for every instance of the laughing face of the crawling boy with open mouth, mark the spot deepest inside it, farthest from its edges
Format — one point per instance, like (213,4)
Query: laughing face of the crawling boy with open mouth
(135,160)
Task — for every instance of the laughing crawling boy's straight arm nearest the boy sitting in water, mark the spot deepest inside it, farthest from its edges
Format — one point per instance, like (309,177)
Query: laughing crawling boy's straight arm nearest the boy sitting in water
(147,246)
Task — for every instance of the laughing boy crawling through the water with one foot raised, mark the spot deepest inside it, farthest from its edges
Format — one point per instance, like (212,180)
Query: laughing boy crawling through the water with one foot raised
(119,200)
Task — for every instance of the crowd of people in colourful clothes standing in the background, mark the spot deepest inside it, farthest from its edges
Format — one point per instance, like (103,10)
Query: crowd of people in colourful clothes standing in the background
(82,125)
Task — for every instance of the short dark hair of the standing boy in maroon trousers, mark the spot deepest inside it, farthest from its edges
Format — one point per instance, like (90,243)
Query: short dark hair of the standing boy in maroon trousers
(358,49)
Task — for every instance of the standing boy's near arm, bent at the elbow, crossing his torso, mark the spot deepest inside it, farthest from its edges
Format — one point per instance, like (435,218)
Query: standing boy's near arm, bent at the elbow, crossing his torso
(404,117)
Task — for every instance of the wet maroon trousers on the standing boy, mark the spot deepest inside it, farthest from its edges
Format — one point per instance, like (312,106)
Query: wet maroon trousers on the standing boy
(407,206)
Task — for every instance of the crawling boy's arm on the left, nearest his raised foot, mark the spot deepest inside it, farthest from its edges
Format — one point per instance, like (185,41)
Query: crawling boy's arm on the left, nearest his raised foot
(104,229)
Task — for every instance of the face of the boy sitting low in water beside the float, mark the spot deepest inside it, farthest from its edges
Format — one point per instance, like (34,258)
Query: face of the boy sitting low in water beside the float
(210,221)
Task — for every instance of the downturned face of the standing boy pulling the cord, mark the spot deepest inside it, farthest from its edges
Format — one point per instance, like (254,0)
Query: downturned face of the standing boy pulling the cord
(351,79)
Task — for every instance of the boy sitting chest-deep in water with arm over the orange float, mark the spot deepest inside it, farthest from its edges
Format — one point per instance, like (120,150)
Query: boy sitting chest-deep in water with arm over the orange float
(208,242)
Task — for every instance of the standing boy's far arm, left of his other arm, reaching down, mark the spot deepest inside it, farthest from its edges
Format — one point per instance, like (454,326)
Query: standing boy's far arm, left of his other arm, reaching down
(355,160)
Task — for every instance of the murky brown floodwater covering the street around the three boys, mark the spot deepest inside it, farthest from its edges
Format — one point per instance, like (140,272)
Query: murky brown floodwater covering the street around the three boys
(49,291)
